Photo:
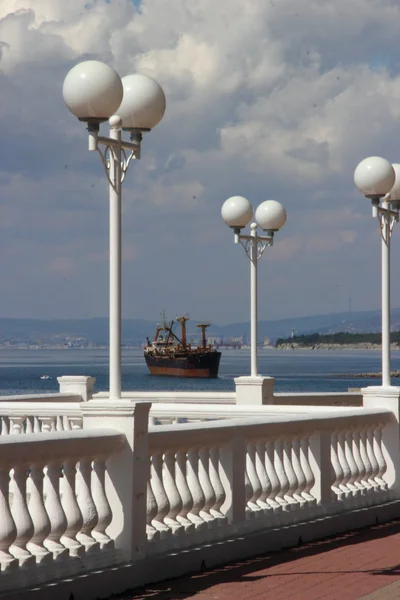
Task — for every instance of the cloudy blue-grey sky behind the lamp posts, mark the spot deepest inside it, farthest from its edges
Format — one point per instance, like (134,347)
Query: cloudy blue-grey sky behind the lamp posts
(268,99)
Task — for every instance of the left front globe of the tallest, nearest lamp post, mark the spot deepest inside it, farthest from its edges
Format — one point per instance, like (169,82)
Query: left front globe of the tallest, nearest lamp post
(92,90)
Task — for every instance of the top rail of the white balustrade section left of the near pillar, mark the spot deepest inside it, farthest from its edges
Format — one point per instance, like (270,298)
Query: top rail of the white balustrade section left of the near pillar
(60,445)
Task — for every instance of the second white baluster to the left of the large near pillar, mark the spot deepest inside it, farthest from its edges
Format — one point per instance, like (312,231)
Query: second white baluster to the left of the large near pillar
(87,506)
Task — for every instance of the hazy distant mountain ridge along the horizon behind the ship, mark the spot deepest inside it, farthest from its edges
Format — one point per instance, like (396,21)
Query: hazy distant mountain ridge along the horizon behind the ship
(135,331)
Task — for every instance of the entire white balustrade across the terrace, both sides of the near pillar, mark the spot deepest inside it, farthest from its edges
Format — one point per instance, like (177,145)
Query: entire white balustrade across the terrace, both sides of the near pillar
(237,471)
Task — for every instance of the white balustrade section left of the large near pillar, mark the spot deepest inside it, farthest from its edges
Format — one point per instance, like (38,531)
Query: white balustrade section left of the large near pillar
(45,523)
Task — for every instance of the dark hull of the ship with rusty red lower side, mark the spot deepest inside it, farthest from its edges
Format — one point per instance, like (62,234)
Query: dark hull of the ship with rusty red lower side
(204,366)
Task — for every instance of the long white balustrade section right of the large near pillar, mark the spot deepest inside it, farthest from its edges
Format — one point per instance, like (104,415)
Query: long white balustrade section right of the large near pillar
(189,485)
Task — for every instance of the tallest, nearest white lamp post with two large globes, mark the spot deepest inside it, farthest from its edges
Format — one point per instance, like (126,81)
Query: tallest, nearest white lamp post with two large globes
(94,92)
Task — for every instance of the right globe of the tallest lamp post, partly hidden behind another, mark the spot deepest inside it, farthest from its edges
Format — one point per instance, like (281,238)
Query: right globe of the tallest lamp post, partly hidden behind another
(144,103)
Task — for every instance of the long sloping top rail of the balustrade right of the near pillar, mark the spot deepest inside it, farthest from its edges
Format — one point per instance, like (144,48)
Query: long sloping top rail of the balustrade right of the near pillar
(192,434)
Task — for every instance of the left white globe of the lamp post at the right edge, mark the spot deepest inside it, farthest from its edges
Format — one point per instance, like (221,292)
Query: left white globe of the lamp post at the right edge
(374,177)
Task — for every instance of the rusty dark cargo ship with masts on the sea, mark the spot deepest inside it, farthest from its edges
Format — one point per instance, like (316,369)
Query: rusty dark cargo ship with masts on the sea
(171,355)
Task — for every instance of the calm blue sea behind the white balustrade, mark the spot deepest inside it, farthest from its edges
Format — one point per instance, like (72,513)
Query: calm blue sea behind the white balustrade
(295,371)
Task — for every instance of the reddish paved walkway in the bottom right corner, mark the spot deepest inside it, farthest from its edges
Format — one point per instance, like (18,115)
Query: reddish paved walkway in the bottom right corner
(363,564)
